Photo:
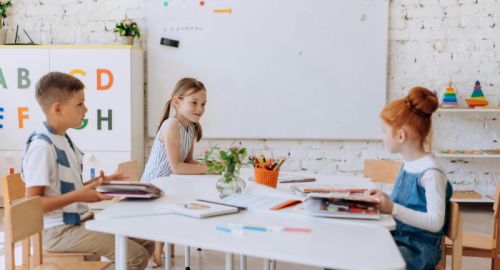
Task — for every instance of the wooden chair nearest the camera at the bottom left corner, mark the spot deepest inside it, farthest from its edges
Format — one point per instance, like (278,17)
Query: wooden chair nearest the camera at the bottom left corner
(25,220)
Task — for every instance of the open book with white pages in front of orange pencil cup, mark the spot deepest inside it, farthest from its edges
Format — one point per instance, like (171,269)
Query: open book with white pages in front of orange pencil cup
(260,197)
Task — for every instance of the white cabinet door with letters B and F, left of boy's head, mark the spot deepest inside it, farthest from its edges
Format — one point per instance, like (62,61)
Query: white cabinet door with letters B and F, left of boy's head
(20,114)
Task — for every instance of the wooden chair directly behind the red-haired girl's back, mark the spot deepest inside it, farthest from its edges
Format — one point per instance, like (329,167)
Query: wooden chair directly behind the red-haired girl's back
(454,233)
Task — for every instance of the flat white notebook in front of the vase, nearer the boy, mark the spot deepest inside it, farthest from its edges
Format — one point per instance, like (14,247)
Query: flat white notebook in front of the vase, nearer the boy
(197,209)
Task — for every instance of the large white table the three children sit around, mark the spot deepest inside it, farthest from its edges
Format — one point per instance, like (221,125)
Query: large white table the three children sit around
(335,243)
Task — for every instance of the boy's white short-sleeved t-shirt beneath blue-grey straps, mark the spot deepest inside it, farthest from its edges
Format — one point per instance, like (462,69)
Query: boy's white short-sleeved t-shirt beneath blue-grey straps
(40,169)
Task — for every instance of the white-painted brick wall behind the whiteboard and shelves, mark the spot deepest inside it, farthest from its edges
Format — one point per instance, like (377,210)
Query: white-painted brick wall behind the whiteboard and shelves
(431,42)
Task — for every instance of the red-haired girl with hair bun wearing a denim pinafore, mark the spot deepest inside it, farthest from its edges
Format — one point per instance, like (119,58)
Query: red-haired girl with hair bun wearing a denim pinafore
(405,125)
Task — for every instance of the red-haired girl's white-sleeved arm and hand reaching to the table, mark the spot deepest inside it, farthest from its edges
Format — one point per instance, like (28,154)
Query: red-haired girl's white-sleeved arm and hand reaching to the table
(434,184)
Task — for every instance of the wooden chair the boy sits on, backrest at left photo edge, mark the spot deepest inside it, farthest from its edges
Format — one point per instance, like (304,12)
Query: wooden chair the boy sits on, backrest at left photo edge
(14,188)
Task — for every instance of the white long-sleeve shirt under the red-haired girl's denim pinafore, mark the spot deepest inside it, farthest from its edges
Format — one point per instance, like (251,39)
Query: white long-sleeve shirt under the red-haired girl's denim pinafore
(434,183)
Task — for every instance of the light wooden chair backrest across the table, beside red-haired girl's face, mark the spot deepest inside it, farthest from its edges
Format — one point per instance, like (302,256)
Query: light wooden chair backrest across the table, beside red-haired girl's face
(382,171)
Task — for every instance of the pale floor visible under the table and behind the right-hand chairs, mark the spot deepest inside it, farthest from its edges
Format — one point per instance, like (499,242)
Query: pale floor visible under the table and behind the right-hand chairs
(478,219)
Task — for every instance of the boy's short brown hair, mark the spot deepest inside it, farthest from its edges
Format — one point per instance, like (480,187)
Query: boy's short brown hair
(56,87)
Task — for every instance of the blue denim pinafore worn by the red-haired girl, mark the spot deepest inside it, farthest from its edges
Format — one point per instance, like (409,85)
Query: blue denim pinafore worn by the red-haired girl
(420,248)
